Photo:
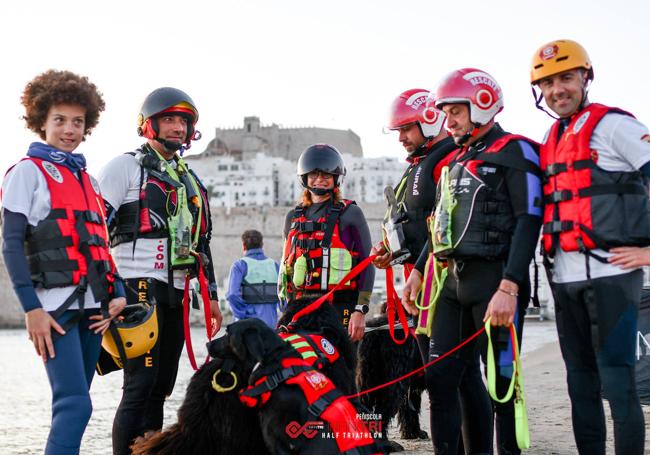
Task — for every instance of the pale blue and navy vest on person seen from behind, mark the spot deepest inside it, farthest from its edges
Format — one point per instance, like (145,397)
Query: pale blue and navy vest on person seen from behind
(260,283)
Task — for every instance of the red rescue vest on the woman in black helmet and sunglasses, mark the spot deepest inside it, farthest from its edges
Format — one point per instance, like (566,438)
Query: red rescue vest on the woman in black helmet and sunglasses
(315,258)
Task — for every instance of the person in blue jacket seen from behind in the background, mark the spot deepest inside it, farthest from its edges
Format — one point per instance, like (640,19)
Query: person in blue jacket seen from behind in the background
(252,288)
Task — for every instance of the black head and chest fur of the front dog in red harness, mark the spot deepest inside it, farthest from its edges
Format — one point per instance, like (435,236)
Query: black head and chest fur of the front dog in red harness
(260,352)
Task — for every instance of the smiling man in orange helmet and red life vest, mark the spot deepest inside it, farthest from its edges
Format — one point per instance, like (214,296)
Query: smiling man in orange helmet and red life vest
(594,160)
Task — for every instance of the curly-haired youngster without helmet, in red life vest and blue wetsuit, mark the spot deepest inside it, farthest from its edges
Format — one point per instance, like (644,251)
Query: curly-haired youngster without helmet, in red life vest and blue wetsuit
(56,249)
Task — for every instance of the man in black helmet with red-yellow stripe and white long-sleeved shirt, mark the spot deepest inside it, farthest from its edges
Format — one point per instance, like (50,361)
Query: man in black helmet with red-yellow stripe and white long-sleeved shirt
(159,223)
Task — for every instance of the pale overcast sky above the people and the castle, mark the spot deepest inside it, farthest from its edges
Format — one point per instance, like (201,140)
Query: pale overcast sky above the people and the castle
(332,63)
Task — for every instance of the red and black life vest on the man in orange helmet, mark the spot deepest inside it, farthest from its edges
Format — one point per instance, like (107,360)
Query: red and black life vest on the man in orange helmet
(587,207)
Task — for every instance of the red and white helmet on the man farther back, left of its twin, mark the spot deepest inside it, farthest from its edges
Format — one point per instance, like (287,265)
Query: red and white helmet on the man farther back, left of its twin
(411,107)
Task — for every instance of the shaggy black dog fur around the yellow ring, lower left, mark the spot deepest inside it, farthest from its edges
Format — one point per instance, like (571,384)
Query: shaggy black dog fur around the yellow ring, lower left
(209,421)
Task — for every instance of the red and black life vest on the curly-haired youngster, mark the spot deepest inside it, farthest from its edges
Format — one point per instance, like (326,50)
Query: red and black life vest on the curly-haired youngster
(71,243)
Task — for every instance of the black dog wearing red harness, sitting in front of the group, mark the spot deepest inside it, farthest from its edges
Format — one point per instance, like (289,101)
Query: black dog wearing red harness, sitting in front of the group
(300,409)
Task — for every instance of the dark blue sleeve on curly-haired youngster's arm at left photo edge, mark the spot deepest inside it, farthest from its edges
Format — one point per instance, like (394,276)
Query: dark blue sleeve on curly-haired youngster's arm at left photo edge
(14,228)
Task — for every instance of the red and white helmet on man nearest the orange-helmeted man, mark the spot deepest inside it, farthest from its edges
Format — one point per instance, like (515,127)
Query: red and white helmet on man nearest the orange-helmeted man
(474,87)
